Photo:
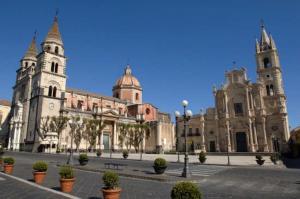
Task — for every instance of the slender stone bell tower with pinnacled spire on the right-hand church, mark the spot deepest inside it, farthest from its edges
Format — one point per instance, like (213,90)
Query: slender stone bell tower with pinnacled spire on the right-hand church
(269,75)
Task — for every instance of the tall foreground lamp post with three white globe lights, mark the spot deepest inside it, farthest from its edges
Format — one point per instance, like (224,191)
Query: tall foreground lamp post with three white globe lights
(187,114)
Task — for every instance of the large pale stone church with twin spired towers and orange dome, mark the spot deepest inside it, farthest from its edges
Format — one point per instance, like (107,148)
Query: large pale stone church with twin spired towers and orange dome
(40,91)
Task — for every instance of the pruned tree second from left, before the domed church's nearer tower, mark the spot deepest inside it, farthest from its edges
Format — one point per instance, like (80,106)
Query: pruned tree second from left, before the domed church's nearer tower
(58,124)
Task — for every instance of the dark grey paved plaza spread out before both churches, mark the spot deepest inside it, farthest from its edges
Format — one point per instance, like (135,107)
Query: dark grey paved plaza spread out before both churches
(214,181)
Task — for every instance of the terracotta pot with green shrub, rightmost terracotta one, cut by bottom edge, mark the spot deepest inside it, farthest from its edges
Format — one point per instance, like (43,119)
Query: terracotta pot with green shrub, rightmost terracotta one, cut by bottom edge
(111,189)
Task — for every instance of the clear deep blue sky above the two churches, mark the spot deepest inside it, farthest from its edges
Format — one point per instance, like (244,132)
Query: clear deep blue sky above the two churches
(177,49)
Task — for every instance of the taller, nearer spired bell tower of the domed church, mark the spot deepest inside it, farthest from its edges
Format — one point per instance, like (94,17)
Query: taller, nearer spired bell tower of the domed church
(49,83)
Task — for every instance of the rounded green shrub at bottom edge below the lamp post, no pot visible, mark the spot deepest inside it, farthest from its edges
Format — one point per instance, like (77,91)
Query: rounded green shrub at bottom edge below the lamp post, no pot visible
(185,190)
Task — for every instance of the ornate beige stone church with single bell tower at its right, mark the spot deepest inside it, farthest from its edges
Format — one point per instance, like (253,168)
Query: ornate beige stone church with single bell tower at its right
(247,117)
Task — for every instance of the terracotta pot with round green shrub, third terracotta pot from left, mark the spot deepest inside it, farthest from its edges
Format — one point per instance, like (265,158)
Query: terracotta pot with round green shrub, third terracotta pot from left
(66,178)
